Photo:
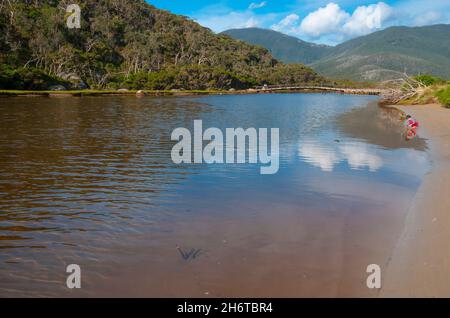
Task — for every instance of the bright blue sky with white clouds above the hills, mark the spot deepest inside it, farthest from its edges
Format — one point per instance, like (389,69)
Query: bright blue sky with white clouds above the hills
(320,21)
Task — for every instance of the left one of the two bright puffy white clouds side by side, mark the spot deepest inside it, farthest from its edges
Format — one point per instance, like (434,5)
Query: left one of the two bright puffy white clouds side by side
(324,20)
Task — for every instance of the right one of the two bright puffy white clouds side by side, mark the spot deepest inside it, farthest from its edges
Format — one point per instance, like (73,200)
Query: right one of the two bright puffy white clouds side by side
(366,19)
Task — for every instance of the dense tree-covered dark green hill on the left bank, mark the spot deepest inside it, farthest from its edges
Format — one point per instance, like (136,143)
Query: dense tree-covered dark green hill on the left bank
(130,44)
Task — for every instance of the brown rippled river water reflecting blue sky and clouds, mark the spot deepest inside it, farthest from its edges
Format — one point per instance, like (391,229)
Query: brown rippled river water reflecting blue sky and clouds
(90,181)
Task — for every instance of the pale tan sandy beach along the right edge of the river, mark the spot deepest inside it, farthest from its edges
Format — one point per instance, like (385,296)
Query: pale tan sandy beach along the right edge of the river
(420,262)
